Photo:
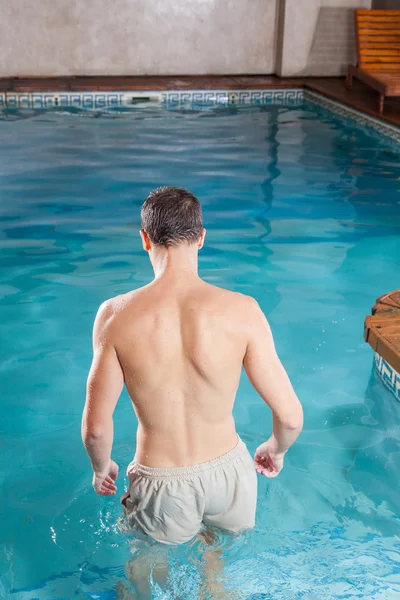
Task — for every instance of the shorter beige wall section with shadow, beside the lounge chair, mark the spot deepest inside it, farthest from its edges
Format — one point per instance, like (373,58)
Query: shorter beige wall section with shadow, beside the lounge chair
(316,37)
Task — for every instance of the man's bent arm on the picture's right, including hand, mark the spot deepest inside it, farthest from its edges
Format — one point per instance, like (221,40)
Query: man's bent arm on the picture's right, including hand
(270,380)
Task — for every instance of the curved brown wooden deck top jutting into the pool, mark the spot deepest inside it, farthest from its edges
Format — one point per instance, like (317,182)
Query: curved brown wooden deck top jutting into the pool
(382,328)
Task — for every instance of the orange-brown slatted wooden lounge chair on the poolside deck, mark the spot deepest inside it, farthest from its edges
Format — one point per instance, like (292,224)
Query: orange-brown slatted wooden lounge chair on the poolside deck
(378,52)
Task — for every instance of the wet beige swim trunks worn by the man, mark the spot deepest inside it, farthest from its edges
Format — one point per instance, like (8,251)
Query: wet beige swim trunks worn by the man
(170,505)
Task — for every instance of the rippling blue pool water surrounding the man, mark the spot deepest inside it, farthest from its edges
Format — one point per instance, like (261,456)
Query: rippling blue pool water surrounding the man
(302,211)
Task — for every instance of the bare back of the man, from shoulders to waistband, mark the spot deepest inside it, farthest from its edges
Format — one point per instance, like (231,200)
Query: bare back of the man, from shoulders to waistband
(181,345)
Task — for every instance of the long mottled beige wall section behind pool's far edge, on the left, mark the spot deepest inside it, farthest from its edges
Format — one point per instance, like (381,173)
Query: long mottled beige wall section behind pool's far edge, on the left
(131,37)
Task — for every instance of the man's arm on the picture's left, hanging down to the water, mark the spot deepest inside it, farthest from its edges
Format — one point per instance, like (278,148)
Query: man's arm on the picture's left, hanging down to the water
(104,387)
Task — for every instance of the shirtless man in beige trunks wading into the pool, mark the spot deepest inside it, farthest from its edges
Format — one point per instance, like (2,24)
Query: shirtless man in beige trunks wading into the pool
(179,344)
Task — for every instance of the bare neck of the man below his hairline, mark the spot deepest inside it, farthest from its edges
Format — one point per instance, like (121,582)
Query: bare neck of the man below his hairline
(175,262)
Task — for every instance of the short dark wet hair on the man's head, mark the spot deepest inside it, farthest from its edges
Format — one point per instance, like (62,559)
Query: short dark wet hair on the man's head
(172,215)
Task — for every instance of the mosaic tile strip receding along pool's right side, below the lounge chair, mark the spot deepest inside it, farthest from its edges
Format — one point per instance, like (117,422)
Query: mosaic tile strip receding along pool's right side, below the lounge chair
(342,110)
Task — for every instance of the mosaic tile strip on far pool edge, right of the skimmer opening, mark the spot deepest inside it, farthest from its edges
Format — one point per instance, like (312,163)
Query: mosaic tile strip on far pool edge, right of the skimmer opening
(279,96)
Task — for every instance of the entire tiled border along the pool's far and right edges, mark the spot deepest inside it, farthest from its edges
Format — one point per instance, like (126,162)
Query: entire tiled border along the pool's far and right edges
(294,96)
